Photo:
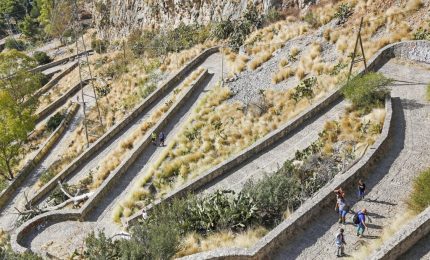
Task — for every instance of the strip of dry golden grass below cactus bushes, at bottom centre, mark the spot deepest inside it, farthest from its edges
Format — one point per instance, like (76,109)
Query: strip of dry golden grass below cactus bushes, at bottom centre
(194,243)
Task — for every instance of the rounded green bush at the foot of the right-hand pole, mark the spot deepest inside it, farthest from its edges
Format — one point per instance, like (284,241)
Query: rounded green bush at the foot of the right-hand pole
(367,91)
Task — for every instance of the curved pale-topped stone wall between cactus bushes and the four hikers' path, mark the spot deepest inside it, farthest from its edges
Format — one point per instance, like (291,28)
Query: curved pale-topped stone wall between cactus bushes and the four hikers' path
(312,207)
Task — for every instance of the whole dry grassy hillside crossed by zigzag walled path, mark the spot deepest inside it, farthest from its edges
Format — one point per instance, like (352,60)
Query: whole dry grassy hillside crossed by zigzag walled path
(262,117)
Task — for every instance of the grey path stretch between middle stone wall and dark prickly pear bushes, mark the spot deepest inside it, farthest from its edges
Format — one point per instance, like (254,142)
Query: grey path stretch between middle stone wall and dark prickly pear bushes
(269,161)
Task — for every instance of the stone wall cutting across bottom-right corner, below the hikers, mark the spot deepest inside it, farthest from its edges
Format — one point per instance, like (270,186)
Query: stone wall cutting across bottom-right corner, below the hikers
(405,238)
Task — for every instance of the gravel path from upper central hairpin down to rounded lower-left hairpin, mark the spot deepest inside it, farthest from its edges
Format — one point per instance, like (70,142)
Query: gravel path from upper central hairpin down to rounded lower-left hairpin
(70,234)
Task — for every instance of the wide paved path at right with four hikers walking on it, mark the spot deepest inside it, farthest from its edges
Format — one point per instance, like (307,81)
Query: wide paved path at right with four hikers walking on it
(391,180)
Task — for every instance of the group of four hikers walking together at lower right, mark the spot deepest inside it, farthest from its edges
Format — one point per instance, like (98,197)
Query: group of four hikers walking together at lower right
(358,219)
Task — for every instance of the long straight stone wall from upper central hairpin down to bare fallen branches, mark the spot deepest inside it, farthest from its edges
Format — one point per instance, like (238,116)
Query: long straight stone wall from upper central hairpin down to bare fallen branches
(102,141)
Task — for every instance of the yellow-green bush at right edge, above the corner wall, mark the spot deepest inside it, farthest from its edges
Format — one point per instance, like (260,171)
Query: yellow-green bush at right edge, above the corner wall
(420,196)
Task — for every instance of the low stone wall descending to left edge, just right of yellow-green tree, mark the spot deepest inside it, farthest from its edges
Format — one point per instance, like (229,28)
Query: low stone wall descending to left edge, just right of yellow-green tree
(6,194)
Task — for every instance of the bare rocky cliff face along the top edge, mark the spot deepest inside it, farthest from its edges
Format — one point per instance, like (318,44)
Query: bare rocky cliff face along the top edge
(117,18)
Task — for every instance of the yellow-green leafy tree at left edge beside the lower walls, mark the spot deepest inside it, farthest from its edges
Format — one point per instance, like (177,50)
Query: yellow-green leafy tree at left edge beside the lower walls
(16,125)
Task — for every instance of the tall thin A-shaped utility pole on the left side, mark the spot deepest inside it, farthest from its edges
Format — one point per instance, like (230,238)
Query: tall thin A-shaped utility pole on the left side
(85,73)
